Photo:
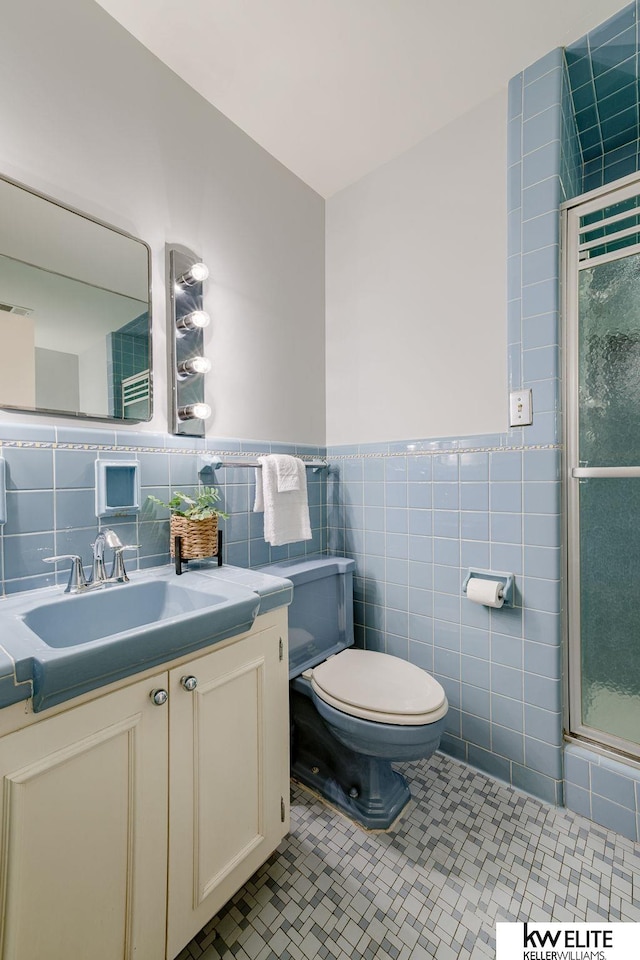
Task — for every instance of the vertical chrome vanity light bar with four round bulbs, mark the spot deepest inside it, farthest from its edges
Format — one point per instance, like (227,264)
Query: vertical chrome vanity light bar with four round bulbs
(187,320)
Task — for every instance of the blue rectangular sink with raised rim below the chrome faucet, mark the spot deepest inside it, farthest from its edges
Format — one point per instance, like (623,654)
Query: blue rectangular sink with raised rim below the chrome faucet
(65,645)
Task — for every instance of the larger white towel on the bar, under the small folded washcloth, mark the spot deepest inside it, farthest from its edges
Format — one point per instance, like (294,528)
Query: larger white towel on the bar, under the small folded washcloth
(286,515)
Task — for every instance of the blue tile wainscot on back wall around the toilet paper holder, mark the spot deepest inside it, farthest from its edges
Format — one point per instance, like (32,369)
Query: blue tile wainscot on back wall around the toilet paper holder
(439,508)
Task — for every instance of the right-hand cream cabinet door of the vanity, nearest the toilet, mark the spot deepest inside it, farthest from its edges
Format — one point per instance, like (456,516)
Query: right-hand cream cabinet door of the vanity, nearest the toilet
(229,781)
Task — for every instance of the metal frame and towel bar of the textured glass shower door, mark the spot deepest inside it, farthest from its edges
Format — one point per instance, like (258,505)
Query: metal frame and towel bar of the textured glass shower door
(571,211)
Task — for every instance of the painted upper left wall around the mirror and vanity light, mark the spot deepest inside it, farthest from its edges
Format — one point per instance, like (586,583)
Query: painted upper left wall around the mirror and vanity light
(97,122)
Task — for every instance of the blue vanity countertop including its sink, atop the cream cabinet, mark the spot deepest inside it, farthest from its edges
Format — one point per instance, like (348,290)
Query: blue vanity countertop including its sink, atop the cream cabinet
(54,668)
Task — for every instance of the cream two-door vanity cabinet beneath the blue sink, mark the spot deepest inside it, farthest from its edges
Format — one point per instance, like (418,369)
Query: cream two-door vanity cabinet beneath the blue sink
(127,822)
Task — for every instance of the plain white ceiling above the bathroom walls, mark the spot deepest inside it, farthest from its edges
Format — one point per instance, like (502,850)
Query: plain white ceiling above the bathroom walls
(335,88)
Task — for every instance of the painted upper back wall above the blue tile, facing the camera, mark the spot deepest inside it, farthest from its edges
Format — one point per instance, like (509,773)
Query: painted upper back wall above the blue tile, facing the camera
(416,289)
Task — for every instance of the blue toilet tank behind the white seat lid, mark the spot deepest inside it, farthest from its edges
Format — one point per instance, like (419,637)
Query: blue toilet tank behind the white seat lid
(321,612)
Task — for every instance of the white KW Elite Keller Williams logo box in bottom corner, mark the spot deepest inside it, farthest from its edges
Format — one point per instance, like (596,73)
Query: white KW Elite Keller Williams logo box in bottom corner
(567,941)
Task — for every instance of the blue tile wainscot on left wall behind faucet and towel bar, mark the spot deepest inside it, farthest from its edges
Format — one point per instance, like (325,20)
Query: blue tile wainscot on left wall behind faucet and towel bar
(51,505)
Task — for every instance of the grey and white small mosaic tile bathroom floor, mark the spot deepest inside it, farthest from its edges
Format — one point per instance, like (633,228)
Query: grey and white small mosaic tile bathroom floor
(469,851)
